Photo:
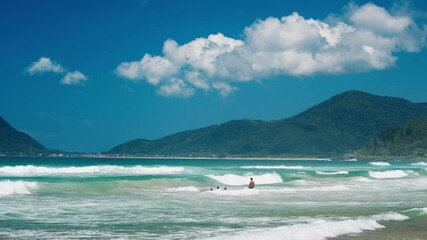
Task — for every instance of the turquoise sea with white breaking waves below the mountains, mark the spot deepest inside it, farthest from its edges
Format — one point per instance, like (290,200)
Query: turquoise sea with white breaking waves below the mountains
(95,198)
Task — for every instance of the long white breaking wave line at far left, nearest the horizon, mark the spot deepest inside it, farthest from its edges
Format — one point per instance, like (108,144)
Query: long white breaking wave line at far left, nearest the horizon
(30,170)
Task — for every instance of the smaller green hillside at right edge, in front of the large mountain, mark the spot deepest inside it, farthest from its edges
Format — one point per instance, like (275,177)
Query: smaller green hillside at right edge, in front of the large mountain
(409,140)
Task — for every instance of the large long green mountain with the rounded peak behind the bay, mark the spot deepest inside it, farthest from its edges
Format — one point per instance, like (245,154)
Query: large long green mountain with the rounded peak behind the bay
(339,125)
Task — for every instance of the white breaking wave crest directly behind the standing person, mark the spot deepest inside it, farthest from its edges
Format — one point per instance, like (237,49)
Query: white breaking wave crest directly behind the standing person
(236,180)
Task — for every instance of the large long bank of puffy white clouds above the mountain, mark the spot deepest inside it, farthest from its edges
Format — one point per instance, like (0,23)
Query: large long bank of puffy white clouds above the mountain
(363,38)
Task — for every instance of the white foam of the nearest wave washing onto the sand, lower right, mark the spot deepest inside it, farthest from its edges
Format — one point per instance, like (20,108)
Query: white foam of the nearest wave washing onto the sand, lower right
(318,229)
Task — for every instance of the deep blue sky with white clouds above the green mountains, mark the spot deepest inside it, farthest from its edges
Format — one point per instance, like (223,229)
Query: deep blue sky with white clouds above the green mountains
(88,75)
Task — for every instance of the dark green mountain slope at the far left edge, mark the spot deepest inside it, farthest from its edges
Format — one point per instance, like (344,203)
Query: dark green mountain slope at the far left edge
(14,142)
